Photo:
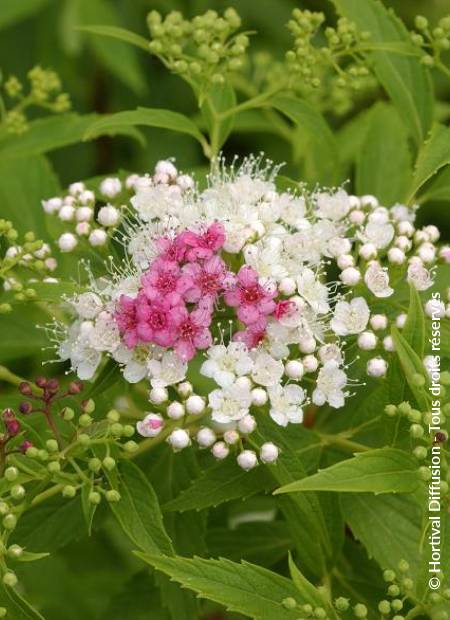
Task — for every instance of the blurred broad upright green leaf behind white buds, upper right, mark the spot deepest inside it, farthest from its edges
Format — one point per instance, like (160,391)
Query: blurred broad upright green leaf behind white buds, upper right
(383,166)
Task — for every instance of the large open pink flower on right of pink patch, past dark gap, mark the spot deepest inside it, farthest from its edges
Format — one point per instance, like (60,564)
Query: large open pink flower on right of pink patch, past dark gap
(252,300)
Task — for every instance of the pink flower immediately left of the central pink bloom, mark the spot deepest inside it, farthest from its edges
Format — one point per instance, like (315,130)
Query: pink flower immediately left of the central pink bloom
(163,278)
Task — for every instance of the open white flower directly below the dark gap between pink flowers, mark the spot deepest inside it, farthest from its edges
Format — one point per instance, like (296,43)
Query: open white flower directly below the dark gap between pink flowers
(225,363)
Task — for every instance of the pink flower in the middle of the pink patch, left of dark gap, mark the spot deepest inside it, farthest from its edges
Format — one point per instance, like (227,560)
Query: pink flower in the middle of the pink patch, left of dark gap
(207,279)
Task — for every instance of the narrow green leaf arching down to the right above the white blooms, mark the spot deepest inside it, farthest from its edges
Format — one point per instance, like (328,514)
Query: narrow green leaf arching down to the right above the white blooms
(316,128)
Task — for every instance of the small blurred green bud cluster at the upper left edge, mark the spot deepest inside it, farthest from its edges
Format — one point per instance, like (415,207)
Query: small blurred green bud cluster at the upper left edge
(44,91)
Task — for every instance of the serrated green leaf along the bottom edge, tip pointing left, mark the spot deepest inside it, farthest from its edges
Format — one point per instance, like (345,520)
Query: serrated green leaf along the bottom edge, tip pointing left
(244,588)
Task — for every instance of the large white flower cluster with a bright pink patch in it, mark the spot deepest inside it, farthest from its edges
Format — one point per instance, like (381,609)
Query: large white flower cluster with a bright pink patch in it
(223,304)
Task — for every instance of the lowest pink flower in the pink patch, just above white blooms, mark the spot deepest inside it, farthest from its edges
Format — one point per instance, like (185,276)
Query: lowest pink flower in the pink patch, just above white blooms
(193,332)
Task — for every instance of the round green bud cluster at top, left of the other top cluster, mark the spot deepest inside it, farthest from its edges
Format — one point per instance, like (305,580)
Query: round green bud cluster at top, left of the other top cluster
(202,50)
